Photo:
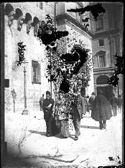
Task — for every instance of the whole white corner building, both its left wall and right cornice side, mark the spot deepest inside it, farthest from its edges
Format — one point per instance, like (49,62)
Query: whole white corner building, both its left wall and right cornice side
(35,53)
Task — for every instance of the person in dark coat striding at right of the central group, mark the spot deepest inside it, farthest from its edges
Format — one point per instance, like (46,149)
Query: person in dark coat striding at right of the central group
(77,111)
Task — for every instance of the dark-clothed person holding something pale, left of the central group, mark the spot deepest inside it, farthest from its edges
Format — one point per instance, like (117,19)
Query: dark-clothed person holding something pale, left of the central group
(48,104)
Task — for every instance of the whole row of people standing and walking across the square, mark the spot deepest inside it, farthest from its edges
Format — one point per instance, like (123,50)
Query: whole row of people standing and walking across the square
(101,111)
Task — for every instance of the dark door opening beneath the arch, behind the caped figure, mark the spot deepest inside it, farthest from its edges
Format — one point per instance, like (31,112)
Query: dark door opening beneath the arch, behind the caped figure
(107,91)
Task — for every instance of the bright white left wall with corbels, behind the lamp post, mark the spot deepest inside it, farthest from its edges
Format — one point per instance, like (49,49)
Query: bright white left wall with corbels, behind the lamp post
(35,54)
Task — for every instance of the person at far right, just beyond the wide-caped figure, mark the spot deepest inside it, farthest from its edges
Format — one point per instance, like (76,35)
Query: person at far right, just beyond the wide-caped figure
(114,104)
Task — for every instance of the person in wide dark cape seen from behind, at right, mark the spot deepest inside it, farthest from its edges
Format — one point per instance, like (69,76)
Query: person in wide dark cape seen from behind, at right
(101,110)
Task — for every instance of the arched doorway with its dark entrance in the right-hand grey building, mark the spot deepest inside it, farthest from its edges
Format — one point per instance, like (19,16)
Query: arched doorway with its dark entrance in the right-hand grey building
(102,85)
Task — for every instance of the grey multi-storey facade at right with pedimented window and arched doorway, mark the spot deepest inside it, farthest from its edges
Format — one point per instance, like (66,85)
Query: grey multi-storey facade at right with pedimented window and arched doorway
(107,41)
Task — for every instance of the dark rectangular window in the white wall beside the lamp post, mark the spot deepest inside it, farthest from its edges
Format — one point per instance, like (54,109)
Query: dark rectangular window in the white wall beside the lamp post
(36,75)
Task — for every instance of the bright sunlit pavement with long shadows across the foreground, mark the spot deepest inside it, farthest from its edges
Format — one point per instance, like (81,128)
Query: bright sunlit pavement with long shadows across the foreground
(28,145)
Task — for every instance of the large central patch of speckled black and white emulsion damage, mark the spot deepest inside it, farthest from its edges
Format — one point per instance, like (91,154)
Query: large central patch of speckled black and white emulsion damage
(69,72)
